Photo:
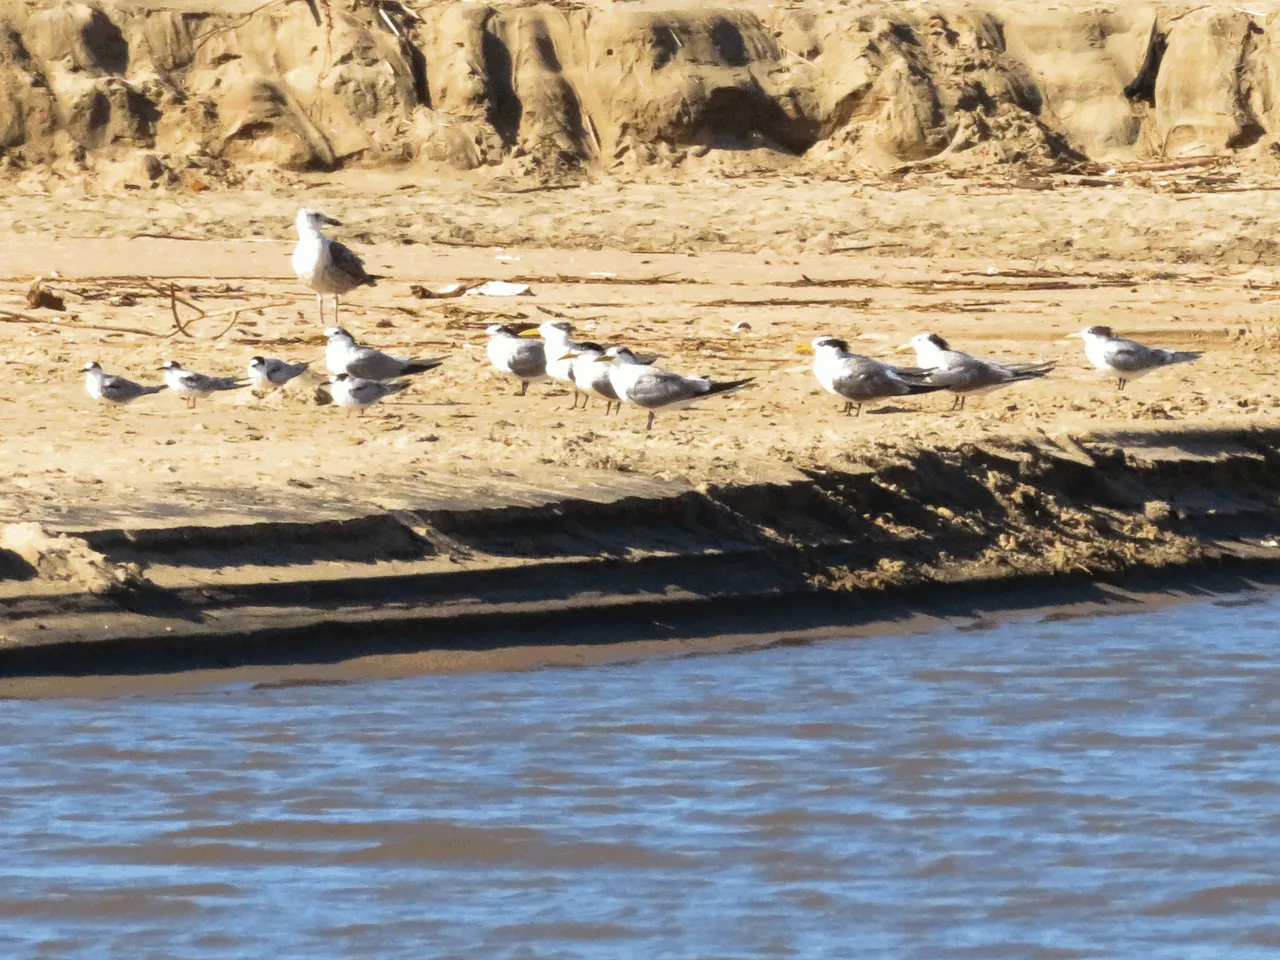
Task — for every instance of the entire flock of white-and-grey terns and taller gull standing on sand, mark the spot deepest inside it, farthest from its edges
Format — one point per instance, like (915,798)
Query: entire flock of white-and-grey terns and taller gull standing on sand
(362,376)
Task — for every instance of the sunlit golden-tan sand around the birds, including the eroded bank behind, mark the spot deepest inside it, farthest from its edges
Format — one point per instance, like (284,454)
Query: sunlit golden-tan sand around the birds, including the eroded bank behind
(657,177)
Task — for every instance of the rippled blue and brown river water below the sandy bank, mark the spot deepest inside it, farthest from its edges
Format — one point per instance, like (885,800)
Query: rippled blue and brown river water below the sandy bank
(1090,787)
